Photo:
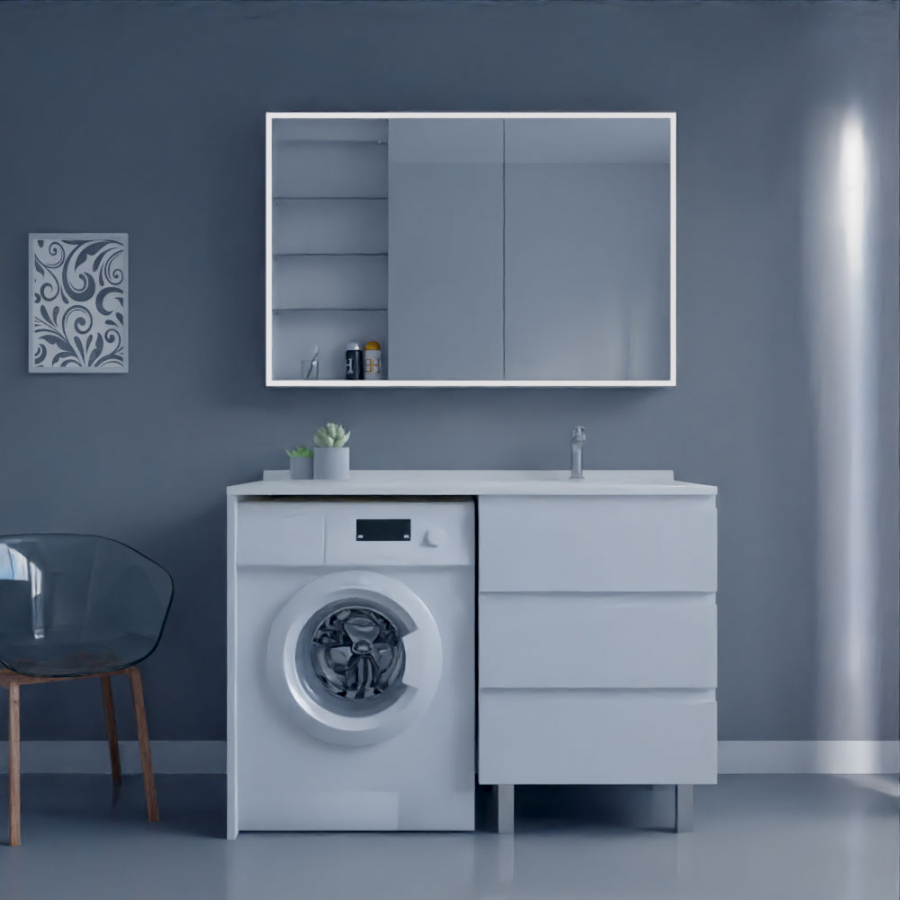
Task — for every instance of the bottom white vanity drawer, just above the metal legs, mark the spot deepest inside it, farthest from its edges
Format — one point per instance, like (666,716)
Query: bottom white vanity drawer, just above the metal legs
(596,737)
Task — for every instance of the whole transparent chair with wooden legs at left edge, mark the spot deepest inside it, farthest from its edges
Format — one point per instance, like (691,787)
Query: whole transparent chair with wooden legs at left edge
(78,606)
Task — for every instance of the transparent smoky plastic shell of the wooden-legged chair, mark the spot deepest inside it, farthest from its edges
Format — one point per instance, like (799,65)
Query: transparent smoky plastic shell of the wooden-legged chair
(59,592)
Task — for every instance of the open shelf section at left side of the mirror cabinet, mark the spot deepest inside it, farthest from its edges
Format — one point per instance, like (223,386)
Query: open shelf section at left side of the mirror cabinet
(329,241)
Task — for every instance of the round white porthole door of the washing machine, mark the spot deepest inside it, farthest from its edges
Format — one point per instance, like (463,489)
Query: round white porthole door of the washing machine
(355,657)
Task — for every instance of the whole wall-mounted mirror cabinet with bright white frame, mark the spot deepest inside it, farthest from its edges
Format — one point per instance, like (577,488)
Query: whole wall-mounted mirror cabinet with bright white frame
(475,249)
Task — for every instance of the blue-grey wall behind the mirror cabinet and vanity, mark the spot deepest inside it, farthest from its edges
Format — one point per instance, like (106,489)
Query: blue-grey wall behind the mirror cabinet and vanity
(148,118)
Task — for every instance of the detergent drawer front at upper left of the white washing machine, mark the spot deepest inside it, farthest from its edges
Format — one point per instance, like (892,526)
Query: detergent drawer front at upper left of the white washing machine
(279,534)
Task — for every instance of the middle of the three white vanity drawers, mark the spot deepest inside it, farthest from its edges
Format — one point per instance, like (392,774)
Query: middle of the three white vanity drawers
(587,640)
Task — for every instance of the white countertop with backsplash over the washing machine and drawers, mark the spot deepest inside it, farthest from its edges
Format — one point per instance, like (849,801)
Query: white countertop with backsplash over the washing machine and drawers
(466,482)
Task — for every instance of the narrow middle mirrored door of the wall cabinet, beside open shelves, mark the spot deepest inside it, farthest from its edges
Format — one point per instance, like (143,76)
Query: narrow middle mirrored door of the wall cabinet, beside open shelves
(445,265)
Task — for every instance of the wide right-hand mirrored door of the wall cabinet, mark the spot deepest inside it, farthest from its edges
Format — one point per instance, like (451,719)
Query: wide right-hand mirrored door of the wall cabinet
(588,249)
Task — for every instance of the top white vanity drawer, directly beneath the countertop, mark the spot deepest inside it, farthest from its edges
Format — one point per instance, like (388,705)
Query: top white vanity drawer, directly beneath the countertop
(595,544)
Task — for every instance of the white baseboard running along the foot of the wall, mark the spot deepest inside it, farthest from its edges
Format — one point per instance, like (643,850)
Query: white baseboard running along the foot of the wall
(208,757)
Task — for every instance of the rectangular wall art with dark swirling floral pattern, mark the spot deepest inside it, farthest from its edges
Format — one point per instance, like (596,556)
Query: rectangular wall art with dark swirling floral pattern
(78,303)
